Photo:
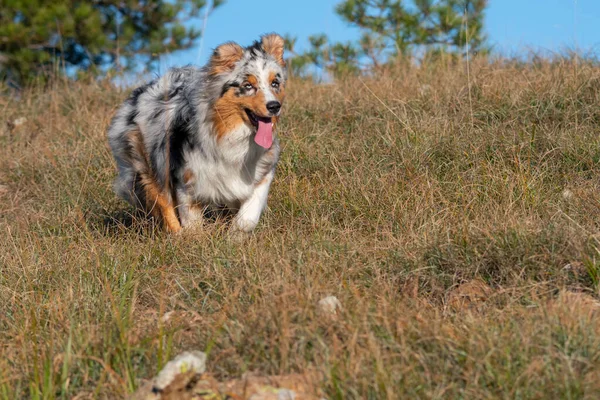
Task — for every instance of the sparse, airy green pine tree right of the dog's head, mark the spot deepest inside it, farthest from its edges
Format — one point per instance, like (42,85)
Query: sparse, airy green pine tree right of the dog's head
(392,28)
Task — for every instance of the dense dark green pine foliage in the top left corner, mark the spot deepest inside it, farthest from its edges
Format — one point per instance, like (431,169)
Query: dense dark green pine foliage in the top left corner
(80,35)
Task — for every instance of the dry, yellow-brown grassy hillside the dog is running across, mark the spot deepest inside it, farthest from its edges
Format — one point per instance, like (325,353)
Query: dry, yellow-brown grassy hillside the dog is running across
(455,217)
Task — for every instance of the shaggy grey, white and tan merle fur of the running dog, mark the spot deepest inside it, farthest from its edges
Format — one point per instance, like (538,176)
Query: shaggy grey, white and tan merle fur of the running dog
(186,141)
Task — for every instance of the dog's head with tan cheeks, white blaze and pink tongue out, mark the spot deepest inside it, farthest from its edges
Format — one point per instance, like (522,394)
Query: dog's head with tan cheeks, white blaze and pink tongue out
(252,86)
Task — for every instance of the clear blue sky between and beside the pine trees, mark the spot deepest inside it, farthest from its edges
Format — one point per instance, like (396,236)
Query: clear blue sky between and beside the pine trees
(512,26)
